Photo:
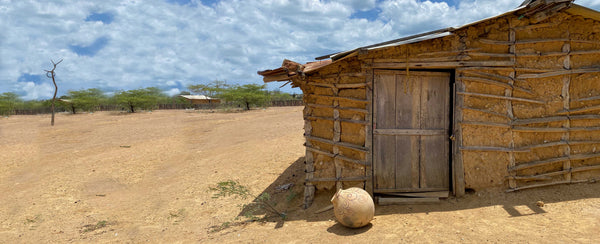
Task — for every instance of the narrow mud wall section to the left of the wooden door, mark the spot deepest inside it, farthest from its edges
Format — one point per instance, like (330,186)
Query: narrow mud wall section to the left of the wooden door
(323,121)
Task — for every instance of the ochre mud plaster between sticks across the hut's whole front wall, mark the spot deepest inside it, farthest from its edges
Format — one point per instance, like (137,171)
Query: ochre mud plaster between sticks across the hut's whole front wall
(485,169)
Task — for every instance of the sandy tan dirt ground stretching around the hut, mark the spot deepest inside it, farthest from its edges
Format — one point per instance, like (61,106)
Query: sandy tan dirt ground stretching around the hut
(112,177)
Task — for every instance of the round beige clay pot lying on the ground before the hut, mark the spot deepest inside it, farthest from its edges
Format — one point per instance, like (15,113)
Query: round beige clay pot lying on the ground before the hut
(353,207)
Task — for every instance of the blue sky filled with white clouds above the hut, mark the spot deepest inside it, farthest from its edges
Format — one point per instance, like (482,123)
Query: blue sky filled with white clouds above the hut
(122,45)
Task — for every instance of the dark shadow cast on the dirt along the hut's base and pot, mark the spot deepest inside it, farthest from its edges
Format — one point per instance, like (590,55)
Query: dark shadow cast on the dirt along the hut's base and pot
(516,204)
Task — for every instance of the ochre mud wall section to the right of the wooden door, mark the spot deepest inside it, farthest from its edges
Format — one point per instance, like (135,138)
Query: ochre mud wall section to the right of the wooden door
(488,169)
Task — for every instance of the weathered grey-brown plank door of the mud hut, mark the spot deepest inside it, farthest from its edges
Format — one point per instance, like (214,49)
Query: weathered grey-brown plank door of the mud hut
(411,126)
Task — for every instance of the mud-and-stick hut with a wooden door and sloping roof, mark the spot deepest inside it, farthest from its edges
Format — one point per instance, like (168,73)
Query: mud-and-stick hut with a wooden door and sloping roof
(511,102)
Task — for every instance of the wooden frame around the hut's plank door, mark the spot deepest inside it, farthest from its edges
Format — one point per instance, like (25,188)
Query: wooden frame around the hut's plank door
(456,170)
